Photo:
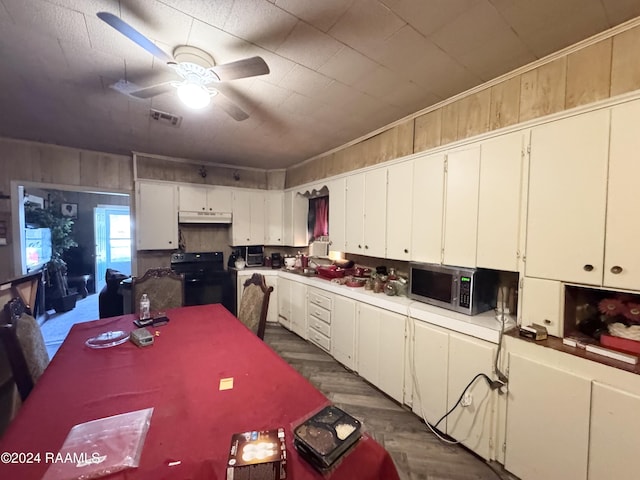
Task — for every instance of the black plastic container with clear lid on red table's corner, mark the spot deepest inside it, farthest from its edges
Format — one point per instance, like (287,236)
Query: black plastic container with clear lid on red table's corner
(324,438)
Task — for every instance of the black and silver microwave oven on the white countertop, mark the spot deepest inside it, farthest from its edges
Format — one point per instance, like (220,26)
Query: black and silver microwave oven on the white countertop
(465,290)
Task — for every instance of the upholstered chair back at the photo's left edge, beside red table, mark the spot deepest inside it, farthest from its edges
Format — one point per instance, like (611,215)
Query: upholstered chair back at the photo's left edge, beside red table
(24,346)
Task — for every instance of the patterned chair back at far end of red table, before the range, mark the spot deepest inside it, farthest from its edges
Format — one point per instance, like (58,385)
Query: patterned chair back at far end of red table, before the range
(164,288)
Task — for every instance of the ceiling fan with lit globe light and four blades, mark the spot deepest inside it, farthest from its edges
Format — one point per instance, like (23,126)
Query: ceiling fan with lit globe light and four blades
(196,68)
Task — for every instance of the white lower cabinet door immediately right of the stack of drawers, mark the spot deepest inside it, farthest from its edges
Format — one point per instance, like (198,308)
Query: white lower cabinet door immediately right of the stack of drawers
(343,330)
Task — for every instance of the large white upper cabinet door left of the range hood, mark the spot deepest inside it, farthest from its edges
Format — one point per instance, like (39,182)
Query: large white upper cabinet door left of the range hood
(156,216)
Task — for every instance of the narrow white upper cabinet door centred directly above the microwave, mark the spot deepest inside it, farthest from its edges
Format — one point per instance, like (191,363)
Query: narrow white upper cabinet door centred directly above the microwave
(461,207)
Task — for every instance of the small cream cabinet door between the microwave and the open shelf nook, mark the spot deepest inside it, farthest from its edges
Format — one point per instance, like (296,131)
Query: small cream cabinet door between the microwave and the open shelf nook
(542,304)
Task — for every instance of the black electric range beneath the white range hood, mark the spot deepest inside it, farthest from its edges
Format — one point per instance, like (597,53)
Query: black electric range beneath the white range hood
(205,279)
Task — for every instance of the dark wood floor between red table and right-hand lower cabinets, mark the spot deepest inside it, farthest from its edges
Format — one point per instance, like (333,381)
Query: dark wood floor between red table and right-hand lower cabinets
(417,453)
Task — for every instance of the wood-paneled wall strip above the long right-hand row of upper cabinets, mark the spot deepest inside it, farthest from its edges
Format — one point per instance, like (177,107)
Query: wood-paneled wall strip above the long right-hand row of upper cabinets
(598,71)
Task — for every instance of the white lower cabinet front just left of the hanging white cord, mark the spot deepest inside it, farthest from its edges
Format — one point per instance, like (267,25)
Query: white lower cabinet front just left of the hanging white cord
(381,349)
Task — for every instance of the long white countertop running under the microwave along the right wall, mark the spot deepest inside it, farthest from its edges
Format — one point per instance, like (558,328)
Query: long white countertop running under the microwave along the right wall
(484,326)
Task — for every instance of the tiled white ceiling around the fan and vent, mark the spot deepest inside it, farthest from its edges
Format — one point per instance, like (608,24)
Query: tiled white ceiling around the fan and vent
(339,68)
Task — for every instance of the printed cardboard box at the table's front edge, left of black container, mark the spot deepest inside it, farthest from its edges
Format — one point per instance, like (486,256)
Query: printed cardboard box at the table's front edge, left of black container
(257,455)
